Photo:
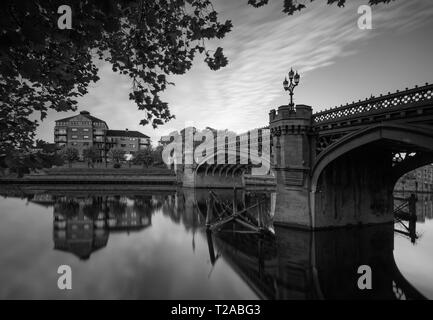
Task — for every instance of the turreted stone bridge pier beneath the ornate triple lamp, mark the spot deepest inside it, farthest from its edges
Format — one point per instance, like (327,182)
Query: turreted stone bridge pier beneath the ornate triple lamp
(291,161)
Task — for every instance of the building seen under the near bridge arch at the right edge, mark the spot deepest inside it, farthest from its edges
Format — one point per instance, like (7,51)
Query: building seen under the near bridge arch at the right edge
(420,180)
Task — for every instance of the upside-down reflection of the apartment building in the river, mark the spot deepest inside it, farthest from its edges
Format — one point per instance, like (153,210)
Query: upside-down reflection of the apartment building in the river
(82,225)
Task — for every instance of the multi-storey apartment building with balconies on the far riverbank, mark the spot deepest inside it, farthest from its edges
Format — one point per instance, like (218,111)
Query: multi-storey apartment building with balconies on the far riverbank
(84,130)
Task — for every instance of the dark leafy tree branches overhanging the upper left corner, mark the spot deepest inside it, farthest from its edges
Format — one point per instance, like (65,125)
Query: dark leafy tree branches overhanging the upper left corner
(44,67)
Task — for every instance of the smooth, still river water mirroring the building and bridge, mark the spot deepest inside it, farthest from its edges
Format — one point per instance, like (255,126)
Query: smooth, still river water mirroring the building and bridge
(153,245)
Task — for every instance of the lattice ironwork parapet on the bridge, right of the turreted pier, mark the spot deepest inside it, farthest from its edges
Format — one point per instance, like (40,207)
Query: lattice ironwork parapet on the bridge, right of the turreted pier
(412,96)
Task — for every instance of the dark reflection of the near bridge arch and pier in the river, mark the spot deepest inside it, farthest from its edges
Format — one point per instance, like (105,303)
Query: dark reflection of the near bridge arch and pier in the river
(302,265)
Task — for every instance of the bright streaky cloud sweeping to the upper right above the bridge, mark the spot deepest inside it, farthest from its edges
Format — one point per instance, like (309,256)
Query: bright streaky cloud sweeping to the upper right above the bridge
(262,50)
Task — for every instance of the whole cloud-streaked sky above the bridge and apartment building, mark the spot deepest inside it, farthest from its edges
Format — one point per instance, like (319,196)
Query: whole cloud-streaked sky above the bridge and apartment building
(337,61)
